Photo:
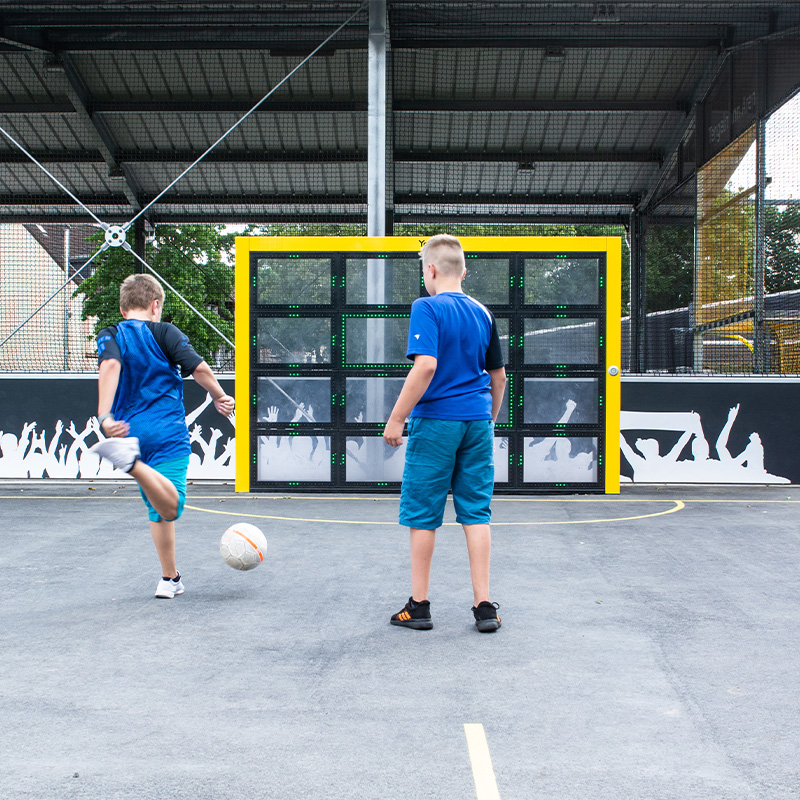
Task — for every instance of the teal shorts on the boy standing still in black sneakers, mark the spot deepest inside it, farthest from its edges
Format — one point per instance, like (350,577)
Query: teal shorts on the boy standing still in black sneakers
(442,454)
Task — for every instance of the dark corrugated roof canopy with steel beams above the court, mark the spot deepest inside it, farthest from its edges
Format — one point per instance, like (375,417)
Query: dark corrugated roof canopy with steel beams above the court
(497,110)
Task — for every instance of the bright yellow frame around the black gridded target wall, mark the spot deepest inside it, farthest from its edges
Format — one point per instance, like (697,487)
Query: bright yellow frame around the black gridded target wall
(611,245)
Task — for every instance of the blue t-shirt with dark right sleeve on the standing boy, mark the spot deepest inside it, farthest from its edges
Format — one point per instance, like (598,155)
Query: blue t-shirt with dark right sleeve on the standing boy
(462,335)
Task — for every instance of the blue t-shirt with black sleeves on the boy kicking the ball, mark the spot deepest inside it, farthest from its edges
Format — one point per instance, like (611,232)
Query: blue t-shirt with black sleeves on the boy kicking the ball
(154,357)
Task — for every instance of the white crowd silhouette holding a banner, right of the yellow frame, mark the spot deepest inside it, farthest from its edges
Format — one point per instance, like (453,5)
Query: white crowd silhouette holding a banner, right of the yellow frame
(649,466)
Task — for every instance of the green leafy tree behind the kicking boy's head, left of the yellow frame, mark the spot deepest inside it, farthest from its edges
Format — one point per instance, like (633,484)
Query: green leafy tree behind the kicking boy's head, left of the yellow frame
(197,260)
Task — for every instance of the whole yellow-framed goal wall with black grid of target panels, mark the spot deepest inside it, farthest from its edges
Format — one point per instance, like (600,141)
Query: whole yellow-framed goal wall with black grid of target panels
(321,334)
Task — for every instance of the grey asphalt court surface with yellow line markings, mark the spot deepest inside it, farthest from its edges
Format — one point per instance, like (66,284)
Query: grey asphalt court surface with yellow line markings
(649,649)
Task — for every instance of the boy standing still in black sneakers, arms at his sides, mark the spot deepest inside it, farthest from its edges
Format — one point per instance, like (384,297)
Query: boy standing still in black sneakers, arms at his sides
(453,395)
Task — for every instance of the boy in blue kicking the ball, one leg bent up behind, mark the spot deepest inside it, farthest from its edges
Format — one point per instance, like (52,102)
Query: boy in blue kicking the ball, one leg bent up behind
(140,397)
